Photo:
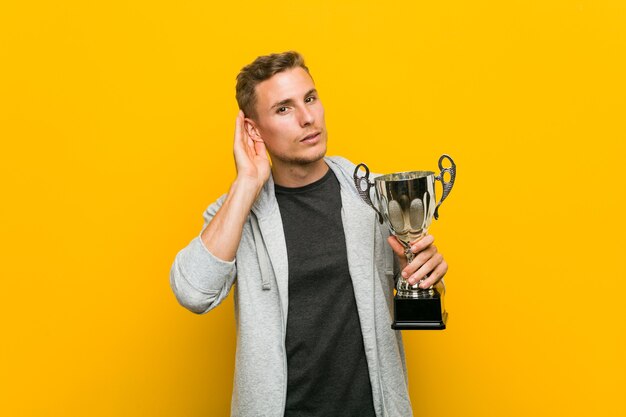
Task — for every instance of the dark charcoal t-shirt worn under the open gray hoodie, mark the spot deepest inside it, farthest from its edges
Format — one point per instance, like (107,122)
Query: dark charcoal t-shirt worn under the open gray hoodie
(327,369)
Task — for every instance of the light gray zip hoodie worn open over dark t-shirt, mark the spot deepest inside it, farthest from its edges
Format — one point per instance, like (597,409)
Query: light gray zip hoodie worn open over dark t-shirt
(201,281)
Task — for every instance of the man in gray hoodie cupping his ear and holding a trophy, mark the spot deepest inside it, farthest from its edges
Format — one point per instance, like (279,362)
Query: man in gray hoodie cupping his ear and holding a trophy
(314,269)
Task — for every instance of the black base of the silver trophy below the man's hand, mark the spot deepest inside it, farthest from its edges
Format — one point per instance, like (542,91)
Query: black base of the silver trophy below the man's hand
(425,313)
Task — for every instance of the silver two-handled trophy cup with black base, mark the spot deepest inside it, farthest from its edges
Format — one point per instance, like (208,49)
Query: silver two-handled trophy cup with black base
(406,203)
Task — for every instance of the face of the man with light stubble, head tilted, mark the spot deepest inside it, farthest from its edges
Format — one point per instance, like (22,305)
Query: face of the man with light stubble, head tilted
(290,118)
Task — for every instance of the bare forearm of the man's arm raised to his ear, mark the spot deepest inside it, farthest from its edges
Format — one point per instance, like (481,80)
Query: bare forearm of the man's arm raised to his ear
(222,235)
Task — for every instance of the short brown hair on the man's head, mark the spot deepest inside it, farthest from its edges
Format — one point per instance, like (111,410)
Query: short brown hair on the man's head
(261,69)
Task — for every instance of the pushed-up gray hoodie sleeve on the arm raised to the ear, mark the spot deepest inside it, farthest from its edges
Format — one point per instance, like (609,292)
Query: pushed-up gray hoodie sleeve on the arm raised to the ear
(200,280)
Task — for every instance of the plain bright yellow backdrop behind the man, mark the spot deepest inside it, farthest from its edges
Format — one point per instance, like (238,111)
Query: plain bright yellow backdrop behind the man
(116,122)
